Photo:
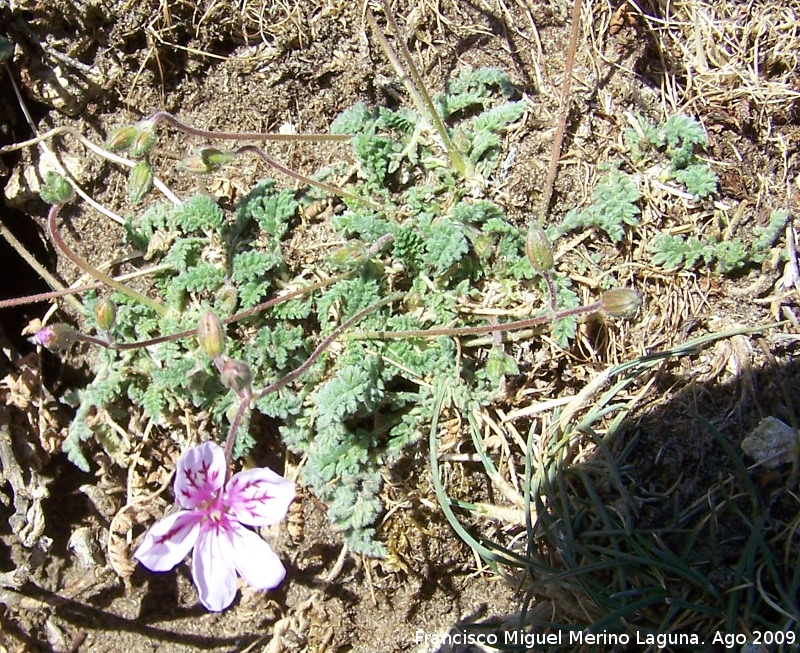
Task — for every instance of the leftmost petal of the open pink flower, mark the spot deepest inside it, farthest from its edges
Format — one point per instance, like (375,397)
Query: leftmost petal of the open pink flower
(168,541)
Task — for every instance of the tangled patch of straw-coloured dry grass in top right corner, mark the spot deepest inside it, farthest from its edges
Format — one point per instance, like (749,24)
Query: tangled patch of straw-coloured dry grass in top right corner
(737,59)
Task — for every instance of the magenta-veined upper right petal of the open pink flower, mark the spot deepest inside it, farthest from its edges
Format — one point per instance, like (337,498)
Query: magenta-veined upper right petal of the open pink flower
(258,497)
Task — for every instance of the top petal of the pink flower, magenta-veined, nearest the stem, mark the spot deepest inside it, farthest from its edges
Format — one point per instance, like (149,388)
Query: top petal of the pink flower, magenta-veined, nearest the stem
(200,474)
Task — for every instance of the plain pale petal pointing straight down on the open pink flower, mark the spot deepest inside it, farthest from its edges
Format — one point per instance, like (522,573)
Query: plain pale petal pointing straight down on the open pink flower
(213,569)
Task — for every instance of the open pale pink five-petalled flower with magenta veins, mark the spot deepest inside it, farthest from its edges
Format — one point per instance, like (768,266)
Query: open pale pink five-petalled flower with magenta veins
(213,522)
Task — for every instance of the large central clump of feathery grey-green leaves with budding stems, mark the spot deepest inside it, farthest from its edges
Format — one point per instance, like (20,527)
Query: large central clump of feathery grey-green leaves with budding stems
(422,240)
